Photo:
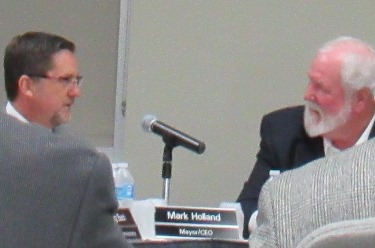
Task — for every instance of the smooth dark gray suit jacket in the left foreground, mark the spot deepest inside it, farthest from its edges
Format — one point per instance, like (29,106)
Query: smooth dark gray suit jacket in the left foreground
(55,191)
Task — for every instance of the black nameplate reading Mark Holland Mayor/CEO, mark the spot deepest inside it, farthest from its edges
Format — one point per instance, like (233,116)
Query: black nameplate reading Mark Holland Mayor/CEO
(193,222)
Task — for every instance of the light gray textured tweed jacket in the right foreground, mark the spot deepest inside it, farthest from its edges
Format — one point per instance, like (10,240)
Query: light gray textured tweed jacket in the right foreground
(335,188)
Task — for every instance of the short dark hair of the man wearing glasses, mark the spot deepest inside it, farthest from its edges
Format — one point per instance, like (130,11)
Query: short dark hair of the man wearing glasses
(30,53)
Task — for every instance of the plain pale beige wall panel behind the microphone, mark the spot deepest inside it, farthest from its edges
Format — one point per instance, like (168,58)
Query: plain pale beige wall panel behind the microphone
(212,68)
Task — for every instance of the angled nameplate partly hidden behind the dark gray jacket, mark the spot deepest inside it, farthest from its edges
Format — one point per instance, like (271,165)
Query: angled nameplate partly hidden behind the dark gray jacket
(125,220)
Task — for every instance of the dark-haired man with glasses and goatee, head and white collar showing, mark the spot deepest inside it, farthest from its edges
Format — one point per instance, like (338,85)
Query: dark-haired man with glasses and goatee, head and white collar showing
(42,78)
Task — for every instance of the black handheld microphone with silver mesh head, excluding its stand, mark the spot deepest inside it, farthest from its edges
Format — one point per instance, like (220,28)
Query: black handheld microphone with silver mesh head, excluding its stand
(171,136)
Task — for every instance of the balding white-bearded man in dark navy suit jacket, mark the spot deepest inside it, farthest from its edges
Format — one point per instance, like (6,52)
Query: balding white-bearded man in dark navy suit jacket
(339,113)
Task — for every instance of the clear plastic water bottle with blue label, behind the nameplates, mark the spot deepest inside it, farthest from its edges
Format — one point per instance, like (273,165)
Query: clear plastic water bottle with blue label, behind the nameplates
(124,184)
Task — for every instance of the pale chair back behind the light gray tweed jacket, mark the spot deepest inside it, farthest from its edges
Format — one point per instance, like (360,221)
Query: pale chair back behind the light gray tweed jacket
(344,234)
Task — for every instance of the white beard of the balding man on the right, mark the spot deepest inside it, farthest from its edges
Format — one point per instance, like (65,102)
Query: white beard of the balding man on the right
(318,122)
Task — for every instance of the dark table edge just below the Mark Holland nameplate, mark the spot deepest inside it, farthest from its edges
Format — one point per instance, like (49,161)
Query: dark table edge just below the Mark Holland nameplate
(204,243)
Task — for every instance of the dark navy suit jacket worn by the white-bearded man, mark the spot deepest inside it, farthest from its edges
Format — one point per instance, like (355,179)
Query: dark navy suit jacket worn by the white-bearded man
(284,145)
